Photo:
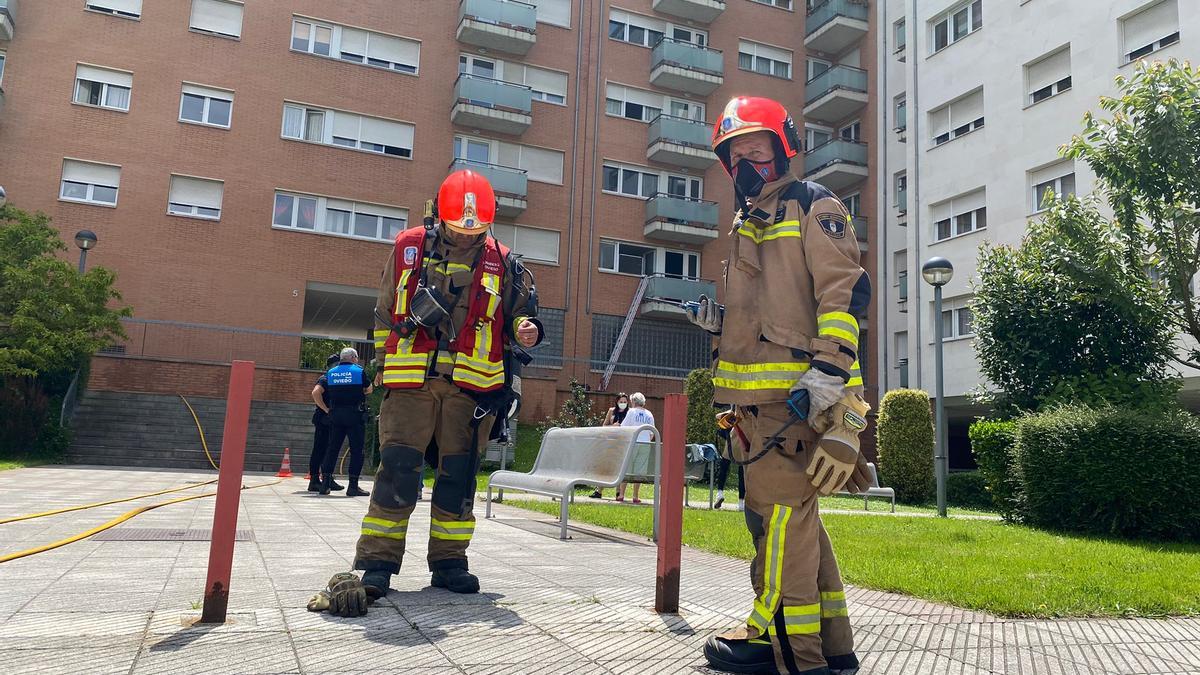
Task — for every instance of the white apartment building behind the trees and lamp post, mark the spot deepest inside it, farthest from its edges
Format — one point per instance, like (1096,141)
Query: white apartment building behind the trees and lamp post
(976,97)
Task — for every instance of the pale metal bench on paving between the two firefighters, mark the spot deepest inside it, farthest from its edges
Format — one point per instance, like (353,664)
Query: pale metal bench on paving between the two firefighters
(587,456)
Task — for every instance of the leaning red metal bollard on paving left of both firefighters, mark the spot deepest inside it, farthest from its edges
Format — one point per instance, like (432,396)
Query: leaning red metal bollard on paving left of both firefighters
(225,521)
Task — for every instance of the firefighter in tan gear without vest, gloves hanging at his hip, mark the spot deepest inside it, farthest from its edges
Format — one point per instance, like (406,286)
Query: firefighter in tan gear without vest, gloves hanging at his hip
(795,296)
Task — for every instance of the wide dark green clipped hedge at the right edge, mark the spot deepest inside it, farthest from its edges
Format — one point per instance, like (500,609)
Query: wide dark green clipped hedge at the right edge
(1112,471)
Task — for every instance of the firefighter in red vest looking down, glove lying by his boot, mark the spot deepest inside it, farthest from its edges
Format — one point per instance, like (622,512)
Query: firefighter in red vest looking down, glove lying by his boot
(454,313)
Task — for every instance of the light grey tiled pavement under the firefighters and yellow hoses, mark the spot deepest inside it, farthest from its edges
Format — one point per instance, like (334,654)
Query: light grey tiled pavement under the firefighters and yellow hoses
(579,607)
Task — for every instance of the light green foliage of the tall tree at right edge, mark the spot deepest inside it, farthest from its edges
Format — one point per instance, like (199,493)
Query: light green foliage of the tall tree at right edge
(1147,158)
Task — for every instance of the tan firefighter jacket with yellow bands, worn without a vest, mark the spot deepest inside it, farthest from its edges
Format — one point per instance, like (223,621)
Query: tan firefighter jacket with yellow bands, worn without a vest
(795,295)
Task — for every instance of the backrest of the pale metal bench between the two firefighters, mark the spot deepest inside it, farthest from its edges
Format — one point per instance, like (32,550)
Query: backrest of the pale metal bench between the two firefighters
(603,453)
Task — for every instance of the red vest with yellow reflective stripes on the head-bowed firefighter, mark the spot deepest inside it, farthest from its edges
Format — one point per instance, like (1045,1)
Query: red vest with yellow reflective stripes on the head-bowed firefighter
(476,360)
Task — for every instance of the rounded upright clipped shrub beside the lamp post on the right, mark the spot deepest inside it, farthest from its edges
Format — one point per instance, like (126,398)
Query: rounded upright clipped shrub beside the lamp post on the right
(907,445)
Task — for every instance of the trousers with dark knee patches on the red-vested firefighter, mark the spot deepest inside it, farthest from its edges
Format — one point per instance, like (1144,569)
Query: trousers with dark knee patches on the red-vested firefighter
(410,421)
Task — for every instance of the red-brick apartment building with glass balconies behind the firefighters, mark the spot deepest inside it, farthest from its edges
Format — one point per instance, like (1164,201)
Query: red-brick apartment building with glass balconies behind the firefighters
(247,165)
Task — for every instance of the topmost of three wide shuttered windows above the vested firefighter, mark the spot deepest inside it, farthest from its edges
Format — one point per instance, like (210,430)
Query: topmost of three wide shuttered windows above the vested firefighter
(365,47)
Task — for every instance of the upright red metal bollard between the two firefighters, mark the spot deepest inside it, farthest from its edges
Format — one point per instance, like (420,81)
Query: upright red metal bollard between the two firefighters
(675,423)
